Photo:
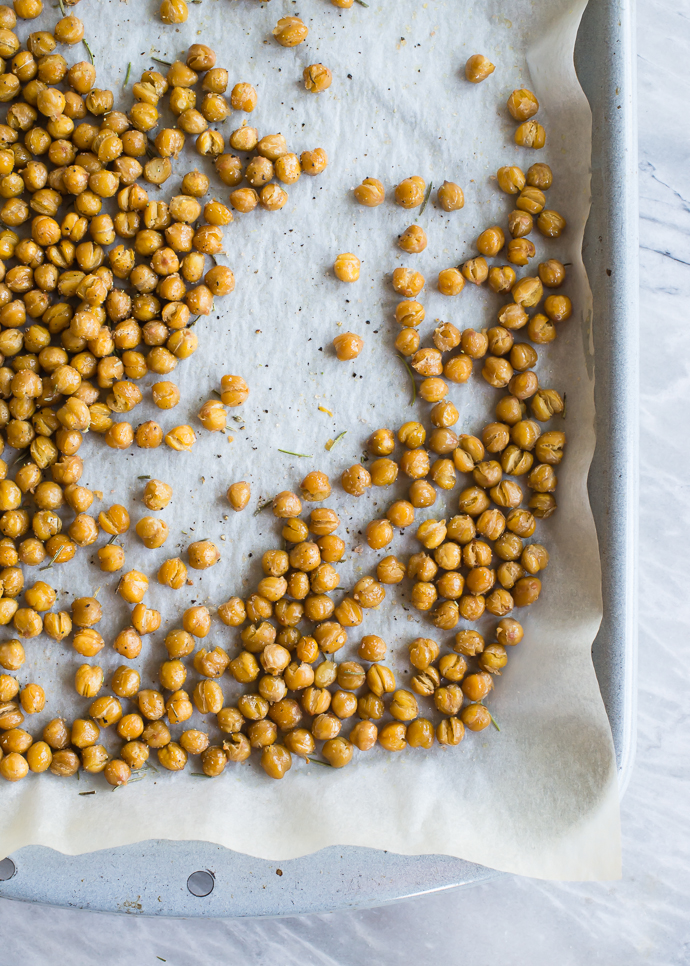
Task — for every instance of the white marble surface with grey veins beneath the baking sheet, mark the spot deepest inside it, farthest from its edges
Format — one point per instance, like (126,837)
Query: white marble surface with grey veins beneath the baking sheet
(644,918)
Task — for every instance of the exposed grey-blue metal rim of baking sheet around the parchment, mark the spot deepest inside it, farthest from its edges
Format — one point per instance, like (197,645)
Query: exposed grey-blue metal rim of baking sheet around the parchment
(151,878)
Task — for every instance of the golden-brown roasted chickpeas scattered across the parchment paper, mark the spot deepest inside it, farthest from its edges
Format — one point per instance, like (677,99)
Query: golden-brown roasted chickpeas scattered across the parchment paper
(77,369)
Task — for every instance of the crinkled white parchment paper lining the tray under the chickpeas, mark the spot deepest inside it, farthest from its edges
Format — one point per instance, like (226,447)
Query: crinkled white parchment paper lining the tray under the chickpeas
(540,797)
